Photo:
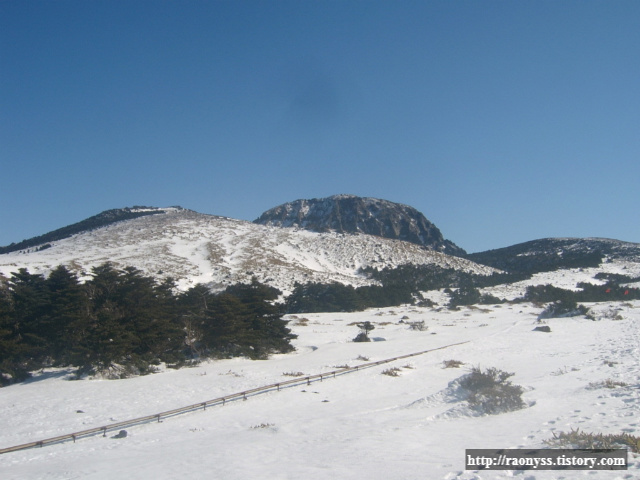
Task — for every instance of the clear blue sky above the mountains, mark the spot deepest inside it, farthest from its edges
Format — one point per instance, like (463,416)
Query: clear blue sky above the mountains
(501,121)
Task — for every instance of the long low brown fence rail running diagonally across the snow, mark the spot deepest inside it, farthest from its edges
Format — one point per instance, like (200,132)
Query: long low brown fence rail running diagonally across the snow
(216,401)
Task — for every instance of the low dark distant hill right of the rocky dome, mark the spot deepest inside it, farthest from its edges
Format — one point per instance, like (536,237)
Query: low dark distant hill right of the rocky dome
(550,254)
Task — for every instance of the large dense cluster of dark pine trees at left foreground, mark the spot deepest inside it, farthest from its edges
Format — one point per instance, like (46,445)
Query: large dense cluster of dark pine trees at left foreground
(123,322)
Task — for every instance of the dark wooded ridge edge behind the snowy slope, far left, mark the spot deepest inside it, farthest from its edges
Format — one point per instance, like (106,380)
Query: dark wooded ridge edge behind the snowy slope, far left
(101,220)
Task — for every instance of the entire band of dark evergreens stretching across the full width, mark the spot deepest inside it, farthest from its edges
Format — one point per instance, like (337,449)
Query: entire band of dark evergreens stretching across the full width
(122,322)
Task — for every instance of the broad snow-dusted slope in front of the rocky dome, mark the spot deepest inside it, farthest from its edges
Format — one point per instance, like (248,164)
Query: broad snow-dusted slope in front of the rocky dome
(218,251)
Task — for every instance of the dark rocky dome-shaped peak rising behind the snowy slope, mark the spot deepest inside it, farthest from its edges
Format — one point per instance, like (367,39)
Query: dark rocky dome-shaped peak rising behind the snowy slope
(352,214)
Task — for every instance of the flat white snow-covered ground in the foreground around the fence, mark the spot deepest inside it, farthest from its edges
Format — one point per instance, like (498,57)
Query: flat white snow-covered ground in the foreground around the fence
(362,425)
